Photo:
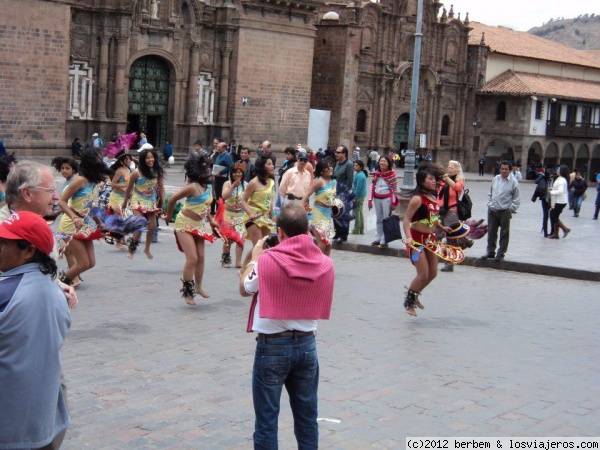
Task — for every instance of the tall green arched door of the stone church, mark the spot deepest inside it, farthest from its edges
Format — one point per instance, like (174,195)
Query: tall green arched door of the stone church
(149,87)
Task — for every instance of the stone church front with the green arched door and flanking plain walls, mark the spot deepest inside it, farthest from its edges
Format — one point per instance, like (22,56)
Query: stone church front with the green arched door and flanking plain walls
(177,69)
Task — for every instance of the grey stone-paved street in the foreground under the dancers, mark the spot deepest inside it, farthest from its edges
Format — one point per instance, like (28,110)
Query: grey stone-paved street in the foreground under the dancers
(493,354)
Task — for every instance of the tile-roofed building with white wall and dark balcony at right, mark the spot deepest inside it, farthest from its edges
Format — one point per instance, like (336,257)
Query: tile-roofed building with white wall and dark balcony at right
(537,101)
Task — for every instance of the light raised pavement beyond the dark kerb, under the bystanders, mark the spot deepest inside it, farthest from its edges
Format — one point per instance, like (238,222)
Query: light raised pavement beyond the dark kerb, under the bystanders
(528,251)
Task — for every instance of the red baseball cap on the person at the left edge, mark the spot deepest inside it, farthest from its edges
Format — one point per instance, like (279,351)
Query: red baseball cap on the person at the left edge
(30,227)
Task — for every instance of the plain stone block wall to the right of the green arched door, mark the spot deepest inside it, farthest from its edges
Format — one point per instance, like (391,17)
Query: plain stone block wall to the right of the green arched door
(273,70)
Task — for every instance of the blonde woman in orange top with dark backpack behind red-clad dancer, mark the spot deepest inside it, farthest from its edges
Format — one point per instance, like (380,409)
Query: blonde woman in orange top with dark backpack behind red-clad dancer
(452,185)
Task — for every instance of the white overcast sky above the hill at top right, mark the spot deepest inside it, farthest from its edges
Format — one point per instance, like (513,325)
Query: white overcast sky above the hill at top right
(521,15)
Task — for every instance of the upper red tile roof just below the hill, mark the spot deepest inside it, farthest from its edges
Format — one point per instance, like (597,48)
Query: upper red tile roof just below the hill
(518,43)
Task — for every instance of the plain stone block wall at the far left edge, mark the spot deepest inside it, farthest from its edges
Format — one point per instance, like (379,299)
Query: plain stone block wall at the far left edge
(34,61)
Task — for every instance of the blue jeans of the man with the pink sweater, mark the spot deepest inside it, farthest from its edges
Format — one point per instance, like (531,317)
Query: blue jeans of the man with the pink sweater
(293,363)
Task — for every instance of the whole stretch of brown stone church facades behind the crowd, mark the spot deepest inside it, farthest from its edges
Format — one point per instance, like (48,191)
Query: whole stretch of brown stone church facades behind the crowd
(183,70)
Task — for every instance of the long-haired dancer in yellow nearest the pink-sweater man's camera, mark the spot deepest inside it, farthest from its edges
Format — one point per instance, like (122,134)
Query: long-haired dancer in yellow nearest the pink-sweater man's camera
(258,200)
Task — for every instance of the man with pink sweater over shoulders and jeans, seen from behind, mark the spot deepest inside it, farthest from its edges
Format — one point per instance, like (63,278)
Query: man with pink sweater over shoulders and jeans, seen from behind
(292,287)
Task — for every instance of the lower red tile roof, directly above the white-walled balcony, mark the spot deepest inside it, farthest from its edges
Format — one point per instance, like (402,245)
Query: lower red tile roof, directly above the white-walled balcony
(525,84)
